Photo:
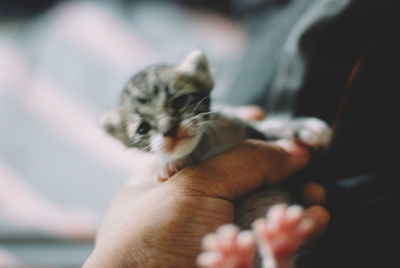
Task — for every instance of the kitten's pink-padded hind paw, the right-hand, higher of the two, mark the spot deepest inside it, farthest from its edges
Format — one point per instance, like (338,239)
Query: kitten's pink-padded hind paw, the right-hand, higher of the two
(281,234)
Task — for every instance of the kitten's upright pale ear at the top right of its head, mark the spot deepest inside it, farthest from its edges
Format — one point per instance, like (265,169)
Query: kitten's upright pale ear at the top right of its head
(195,64)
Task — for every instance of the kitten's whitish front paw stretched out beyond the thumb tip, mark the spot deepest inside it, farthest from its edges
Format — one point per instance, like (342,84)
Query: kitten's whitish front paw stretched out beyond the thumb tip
(314,133)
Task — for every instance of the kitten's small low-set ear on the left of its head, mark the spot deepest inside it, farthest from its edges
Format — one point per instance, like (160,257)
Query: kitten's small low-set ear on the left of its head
(111,123)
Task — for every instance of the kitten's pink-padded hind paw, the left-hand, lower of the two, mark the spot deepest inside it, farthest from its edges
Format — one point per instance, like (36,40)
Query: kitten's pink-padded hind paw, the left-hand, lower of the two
(228,248)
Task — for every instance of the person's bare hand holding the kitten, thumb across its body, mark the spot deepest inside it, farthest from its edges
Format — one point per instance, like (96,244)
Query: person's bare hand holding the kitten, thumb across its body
(162,226)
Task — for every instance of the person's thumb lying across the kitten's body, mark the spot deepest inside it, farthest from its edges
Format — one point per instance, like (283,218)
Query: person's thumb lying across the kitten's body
(246,167)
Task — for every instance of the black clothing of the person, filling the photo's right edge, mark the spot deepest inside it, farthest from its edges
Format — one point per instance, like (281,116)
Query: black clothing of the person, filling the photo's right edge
(360,170)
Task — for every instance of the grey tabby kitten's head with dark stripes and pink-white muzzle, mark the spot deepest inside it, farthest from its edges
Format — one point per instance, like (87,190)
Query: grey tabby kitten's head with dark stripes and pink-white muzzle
(163,107)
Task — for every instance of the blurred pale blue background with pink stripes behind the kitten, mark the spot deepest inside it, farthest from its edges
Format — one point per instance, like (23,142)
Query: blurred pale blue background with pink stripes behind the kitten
(64,63)
